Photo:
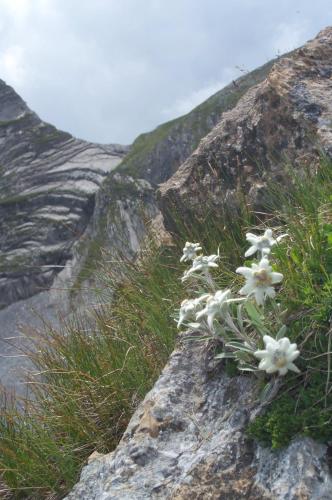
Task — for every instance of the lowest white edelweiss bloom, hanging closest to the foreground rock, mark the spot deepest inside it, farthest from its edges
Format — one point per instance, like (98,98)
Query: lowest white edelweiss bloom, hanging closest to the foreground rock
(278,356)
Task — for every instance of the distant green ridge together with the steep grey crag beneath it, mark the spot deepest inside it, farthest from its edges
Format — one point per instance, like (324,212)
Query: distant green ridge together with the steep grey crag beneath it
(154,157)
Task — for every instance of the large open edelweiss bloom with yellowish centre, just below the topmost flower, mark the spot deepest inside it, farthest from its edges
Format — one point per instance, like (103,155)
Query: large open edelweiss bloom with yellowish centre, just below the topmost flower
(259,280)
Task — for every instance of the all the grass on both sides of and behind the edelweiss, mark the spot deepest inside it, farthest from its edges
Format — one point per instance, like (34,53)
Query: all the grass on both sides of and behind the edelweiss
(96,369)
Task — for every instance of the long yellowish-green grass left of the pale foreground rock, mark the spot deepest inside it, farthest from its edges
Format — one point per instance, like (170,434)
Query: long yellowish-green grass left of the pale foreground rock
(93,373)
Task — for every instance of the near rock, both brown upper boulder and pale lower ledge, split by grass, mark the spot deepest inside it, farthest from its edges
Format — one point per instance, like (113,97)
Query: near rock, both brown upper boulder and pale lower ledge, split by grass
(187,439)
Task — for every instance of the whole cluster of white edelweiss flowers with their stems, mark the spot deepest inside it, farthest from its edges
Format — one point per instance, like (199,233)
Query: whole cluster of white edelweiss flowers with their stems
(238,319)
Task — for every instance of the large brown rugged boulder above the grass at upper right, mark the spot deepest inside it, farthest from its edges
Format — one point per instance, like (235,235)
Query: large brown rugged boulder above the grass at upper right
(285,118)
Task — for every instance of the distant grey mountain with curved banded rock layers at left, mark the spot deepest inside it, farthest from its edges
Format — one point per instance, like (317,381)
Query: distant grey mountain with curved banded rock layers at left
(48,182)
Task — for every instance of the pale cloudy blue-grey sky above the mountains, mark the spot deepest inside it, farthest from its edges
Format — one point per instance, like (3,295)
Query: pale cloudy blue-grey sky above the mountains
(108,70)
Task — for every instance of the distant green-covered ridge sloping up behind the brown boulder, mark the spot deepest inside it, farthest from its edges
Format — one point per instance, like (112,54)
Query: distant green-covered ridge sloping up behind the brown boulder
(156,155)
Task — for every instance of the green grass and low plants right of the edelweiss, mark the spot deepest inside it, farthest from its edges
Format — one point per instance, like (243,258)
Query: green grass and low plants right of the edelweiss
(304,405)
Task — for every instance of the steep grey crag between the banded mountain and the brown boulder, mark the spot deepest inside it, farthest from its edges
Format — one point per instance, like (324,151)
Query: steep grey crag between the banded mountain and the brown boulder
(124,210)
